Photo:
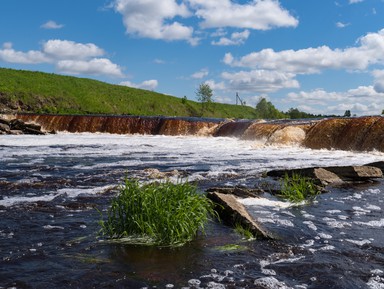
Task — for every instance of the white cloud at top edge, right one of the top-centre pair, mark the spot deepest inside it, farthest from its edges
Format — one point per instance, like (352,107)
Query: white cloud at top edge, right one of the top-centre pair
(258,14)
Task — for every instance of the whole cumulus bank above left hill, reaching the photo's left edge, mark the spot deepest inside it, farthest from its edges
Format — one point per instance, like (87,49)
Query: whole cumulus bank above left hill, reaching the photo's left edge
(67,56)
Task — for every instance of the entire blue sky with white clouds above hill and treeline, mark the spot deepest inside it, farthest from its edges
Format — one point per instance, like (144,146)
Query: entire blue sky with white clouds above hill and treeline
(321,56)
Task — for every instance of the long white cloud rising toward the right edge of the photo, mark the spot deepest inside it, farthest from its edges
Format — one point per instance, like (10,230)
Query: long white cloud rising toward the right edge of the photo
(313,60)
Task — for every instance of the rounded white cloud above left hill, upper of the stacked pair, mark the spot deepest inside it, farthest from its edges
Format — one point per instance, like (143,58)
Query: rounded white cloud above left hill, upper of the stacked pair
(64,49)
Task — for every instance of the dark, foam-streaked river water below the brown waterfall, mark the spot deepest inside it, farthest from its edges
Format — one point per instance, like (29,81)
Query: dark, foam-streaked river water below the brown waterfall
(52,188)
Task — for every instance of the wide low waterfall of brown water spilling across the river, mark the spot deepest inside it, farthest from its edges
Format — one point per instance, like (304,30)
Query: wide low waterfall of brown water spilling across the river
(356,134)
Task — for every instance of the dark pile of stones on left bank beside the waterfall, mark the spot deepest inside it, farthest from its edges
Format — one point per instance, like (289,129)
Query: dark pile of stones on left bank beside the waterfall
(16,127)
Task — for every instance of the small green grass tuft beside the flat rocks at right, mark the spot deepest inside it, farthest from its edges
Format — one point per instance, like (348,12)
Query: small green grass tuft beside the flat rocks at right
(297,188)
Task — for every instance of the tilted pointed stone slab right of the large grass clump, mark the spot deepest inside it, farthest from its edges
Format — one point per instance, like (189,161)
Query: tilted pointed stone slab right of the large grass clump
(233,213)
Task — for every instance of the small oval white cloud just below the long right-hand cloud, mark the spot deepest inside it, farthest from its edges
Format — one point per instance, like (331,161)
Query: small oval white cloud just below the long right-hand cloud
(259,80)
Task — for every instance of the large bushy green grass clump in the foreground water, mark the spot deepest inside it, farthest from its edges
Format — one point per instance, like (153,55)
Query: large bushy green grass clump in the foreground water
(165,214)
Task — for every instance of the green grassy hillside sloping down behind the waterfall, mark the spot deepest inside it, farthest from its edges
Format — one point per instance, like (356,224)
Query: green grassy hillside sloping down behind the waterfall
(27,91)
